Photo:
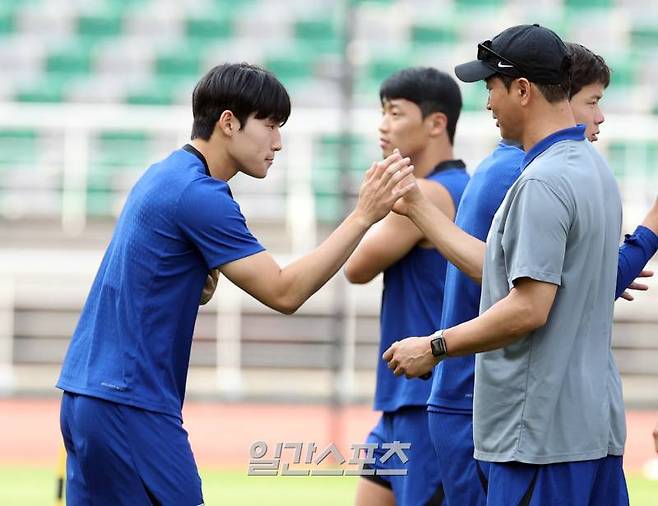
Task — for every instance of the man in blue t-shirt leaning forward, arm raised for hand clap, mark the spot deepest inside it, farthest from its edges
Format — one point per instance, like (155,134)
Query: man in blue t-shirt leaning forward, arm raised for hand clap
(125,370)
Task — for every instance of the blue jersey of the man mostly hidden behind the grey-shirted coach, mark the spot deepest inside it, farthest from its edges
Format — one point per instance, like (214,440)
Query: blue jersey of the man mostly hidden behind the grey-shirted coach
(452,385)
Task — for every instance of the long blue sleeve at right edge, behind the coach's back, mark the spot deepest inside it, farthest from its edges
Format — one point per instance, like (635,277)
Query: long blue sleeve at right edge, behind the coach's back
(637,250)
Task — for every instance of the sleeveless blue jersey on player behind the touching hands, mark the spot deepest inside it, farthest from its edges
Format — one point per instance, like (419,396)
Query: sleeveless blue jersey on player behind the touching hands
(411,302)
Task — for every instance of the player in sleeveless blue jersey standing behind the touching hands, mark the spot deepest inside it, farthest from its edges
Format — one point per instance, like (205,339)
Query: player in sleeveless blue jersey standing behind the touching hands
(420,109)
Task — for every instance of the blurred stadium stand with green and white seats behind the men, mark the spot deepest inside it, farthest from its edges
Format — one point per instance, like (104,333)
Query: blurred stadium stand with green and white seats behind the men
(67,157)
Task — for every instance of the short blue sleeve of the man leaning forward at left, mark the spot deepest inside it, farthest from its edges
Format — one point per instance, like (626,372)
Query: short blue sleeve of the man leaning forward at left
(213,222)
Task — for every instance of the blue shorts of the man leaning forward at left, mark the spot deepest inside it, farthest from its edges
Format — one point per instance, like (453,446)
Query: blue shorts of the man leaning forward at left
(121,455)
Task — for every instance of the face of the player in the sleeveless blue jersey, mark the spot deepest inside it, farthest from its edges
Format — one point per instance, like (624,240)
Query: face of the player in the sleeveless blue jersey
(402,126)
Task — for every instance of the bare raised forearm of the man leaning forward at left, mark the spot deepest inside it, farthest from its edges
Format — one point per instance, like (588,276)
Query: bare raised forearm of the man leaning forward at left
(303,277)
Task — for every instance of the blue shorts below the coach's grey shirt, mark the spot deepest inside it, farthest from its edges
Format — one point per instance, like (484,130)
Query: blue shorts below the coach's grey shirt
(598,482)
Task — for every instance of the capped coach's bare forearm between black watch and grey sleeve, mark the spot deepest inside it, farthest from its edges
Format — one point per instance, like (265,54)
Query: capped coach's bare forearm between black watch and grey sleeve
(502,324)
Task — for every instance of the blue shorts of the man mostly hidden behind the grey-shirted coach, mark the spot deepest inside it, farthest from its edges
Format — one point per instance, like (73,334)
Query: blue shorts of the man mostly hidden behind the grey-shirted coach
(464,478)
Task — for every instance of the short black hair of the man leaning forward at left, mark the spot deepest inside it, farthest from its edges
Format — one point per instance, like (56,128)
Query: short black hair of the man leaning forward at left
(242,89)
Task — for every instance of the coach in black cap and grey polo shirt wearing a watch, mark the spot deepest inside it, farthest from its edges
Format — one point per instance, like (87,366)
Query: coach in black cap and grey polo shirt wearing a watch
(548,413)
